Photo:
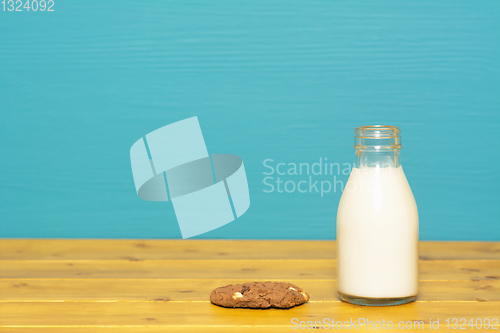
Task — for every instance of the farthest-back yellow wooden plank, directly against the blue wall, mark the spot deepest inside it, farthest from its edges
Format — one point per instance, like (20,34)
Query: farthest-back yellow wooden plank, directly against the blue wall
(87,249)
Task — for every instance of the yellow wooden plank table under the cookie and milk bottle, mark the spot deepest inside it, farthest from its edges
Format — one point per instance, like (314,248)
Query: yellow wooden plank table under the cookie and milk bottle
(163,285)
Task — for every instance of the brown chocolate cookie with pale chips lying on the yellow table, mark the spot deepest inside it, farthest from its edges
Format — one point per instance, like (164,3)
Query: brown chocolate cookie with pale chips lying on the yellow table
(259,295)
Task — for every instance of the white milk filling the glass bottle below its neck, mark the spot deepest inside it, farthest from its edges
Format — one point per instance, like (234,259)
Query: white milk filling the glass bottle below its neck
(377,235)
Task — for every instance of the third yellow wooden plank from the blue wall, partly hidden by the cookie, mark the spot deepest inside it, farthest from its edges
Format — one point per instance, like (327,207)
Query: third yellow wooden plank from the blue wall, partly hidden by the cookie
(150,290)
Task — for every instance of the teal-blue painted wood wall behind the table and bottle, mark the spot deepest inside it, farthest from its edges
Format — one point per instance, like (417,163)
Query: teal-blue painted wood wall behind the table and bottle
(284,80)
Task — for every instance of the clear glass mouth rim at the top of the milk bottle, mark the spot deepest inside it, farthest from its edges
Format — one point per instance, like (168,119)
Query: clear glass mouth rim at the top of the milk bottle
(377,137)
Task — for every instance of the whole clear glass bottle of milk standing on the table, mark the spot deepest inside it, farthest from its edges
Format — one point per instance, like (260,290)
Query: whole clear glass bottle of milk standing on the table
(377,224)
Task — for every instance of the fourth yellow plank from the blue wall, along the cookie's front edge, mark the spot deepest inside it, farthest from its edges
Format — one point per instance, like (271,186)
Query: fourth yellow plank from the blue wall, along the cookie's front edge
(194,313)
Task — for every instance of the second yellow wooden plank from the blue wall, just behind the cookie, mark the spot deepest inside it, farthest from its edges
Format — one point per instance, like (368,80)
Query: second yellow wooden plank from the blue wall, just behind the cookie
(223,269)
